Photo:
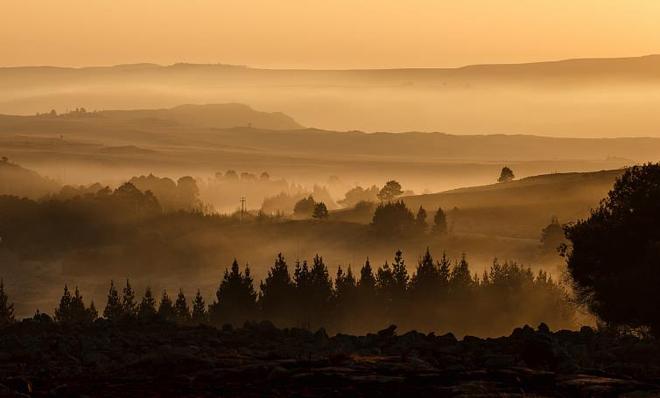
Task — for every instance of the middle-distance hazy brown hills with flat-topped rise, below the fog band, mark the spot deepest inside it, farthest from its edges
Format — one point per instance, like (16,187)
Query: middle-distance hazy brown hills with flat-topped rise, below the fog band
(195,140)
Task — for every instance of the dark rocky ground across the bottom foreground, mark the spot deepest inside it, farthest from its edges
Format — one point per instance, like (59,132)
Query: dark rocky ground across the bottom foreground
(163,360)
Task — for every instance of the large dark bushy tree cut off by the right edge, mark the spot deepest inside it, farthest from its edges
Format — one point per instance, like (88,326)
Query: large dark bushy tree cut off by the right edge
(614,254)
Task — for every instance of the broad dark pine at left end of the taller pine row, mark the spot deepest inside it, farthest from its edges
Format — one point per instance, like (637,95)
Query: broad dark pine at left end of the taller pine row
(236,298)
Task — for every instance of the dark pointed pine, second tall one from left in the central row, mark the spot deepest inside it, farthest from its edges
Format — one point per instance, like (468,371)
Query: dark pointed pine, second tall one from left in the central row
(277,293)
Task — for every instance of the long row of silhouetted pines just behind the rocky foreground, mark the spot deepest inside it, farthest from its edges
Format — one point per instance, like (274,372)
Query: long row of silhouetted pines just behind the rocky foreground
(439,295)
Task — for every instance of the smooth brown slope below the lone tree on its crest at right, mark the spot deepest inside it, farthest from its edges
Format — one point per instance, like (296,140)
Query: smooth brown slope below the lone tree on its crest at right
(520,208)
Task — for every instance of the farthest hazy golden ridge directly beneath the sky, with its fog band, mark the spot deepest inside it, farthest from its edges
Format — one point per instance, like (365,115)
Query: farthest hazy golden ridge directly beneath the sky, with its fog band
(581,97)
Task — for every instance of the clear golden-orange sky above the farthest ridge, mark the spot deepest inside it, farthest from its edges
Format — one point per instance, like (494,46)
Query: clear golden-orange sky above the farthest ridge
(323,33)
